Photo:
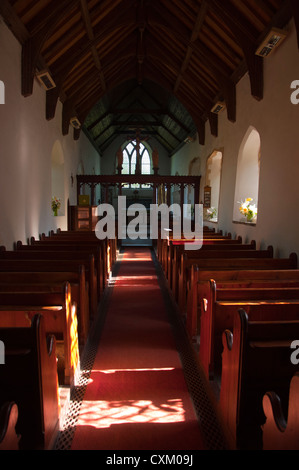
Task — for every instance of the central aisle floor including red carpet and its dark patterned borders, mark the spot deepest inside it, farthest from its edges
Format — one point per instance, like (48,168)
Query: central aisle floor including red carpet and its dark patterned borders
(141,387)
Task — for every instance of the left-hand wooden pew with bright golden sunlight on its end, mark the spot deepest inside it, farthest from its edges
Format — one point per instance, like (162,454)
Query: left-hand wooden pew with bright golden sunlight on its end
(60,317)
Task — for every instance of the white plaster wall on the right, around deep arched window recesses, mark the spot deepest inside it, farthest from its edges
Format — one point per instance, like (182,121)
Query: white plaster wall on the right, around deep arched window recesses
(277,121)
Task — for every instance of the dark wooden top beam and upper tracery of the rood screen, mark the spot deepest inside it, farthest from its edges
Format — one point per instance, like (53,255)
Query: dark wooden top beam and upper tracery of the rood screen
(155,181)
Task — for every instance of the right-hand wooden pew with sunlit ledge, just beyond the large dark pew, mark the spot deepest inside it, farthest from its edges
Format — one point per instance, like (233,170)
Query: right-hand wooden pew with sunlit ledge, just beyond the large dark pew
(219,316)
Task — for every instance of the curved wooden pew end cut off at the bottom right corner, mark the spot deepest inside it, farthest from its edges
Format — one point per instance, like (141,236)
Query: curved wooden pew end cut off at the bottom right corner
(281,431)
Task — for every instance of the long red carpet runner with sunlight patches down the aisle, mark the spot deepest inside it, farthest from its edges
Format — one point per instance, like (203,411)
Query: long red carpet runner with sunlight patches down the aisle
(137,398)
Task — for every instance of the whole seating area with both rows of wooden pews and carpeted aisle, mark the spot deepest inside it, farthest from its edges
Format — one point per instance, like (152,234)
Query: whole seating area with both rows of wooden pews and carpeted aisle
(125,348)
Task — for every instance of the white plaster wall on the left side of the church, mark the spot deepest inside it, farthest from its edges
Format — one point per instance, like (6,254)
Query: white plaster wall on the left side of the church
(26,143)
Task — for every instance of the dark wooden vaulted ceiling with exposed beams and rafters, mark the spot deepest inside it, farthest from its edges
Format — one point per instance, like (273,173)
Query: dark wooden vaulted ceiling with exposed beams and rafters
(155,66)
